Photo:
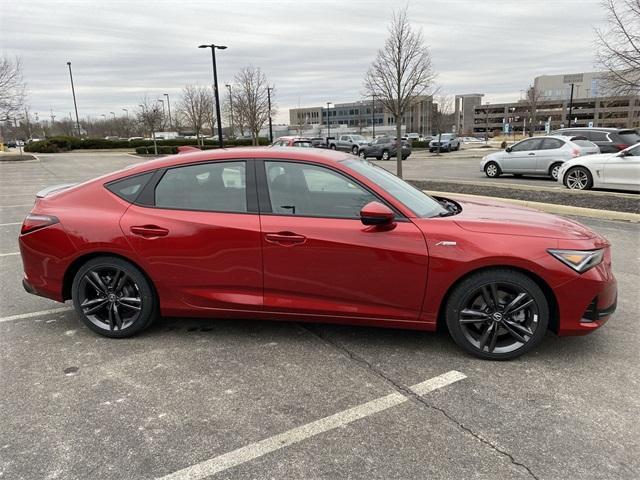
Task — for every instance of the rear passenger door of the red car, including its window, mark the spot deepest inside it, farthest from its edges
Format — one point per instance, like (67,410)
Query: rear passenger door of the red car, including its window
(198,230)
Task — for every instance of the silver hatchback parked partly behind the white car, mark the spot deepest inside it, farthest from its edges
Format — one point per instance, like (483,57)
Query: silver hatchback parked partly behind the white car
(537,156)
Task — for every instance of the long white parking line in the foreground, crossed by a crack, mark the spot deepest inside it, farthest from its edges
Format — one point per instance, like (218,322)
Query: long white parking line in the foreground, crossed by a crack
(298,434)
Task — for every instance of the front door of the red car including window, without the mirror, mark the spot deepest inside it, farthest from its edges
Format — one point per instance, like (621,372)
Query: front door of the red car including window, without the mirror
(318,257)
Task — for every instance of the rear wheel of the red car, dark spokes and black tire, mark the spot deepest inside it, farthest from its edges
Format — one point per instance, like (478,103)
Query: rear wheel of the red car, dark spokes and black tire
(105,282)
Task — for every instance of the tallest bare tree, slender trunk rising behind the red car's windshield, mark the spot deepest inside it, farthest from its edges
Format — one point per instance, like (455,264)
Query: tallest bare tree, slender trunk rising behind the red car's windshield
(402,70)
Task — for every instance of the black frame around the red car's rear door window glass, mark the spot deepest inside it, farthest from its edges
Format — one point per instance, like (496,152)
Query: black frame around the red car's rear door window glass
(148,193)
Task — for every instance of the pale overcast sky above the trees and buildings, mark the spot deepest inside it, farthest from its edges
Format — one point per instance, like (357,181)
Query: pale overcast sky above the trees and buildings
(313,51)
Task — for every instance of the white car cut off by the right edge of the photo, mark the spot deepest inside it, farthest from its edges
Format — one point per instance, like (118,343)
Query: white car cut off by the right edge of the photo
(617,171)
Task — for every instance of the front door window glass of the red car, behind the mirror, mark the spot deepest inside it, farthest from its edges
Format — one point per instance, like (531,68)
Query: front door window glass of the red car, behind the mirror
(313,191)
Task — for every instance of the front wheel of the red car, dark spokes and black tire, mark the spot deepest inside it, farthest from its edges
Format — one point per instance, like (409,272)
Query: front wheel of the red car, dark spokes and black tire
(497,314)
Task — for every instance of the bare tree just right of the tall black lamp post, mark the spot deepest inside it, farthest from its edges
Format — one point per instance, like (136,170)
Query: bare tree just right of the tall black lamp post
(250,104)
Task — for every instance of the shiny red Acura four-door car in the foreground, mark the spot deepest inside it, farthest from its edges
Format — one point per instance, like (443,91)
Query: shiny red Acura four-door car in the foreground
(311,235)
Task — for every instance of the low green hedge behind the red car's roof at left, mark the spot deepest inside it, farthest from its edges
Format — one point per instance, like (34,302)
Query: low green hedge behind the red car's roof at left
(64,144)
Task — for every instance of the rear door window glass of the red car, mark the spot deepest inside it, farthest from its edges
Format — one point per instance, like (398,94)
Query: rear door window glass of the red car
(214,187)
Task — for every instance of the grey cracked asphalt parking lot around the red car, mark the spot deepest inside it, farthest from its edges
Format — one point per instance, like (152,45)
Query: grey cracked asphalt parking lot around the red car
(194,399)
